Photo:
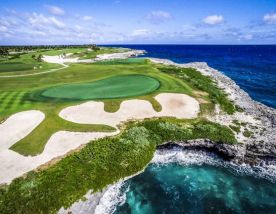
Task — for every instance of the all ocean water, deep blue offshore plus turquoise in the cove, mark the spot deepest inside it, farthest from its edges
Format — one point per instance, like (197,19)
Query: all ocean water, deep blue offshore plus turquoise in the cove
(175,187)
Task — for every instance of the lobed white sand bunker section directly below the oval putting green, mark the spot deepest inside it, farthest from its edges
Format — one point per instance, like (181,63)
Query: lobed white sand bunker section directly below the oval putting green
(173,105)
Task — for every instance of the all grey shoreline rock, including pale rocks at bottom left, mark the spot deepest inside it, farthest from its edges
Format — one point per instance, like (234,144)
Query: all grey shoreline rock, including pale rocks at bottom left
(257,151)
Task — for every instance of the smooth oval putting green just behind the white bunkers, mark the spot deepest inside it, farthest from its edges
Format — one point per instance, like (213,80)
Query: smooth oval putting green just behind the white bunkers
(113,87)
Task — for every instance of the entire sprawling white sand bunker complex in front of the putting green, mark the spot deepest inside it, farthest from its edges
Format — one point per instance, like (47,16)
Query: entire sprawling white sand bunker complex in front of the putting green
(19,125)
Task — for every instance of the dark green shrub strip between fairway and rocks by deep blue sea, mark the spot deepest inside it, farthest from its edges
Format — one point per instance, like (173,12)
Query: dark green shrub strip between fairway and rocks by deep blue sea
(203,83)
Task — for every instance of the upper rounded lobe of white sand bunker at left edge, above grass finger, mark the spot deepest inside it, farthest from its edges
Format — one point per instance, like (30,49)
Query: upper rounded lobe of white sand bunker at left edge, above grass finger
(18,126)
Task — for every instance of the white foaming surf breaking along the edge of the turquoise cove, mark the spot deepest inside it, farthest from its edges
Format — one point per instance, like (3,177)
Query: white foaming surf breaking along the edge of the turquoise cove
(115,194)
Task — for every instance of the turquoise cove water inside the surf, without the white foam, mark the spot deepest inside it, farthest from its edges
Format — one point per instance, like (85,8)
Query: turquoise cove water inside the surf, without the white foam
(174,188)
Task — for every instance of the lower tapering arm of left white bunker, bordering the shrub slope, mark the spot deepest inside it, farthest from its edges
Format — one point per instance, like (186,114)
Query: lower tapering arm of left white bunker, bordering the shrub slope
(14,165)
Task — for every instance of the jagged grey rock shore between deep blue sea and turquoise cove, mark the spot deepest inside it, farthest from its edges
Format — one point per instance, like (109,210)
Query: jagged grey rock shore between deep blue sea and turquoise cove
(258,118)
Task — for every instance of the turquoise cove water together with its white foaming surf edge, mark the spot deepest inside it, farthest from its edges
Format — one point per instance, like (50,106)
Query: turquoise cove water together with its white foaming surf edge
(192,182)
